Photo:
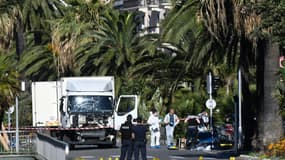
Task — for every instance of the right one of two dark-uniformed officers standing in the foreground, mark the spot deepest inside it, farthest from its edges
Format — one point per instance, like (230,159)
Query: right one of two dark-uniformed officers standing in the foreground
(139,136)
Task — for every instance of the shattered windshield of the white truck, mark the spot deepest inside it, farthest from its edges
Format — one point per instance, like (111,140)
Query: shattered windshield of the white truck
(87,104)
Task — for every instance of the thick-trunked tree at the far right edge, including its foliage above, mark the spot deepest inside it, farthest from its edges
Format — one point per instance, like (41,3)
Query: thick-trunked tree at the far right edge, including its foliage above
(269,49)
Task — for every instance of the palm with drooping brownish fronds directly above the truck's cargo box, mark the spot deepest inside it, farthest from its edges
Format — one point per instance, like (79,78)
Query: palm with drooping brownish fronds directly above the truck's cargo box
(72,36)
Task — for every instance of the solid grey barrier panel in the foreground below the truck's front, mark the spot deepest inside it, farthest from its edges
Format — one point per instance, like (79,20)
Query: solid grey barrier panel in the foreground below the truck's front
(51,148)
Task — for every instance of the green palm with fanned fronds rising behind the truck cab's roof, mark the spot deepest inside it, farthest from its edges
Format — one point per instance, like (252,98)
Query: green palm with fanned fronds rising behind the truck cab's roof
(117,45)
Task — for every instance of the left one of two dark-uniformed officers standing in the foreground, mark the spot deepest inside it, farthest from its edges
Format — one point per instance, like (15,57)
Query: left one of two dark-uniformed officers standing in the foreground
(127,143)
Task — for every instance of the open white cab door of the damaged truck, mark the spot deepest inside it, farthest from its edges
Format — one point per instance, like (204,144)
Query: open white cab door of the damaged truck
(127,104)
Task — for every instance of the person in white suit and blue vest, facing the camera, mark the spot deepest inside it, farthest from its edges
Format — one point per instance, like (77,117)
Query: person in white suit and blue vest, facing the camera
(170,120)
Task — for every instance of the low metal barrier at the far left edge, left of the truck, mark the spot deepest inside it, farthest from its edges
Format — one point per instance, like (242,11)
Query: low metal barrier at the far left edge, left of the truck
(8,142)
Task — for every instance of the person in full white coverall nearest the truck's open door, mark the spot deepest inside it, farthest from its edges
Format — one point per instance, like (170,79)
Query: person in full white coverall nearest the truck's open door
(154,128)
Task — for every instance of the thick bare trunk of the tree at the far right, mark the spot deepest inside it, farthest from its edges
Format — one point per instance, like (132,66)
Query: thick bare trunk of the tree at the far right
(269,120)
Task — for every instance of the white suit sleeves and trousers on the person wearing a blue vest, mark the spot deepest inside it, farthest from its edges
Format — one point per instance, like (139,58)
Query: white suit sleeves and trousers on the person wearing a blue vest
(170,128)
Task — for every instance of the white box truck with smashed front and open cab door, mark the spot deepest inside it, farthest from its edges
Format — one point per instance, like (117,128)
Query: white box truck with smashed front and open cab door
(81,110)
